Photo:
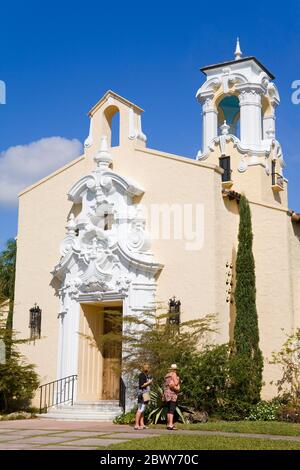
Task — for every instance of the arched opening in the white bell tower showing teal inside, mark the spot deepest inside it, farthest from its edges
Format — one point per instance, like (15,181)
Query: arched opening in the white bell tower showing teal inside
(229,111)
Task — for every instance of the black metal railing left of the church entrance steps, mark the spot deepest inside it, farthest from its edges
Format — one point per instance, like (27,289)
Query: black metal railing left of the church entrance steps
(57,392)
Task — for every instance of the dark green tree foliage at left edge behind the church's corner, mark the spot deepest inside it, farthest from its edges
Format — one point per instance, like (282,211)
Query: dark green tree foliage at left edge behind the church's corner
(7,278)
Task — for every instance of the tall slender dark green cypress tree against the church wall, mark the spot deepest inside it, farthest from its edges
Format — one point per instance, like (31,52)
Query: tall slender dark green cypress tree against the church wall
(247,360)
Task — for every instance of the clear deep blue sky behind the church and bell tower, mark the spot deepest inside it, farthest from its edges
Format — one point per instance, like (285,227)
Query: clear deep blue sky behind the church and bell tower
(58,59)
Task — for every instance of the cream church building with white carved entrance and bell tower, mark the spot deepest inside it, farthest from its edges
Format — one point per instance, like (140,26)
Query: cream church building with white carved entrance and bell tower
(125,227)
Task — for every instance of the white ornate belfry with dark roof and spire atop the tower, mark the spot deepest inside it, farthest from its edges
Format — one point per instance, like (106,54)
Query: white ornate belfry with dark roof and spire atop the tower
(240,92)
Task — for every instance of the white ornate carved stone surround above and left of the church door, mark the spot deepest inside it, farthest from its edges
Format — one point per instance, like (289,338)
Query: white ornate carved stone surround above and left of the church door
(105,254)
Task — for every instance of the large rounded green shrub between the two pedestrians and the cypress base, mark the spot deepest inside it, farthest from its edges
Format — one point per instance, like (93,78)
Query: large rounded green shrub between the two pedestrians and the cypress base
(214,381)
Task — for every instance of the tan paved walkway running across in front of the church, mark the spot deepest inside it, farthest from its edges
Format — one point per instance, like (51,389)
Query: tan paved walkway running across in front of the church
(39,434)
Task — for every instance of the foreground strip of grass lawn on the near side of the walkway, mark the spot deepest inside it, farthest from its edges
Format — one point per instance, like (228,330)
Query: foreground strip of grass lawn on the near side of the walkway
(181,442)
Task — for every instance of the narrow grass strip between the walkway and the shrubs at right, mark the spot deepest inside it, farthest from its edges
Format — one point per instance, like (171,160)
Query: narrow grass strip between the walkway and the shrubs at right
(254,427)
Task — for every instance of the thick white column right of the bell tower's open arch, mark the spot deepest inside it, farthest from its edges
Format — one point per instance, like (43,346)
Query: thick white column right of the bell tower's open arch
(250,115)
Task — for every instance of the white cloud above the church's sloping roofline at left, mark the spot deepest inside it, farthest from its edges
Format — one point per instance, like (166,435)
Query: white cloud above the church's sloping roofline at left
(23,165)
